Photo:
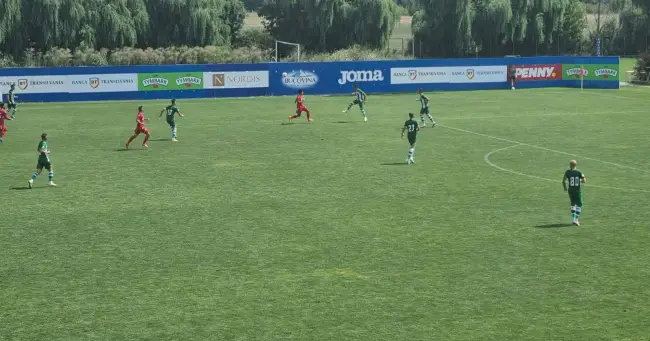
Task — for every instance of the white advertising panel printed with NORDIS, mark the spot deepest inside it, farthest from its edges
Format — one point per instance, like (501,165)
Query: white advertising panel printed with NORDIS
(236,79)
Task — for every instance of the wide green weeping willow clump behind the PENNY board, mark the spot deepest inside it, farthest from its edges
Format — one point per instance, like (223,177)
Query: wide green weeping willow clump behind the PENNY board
(452,28)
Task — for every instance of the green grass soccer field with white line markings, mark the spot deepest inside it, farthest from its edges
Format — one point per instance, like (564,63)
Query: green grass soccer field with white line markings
(252,228)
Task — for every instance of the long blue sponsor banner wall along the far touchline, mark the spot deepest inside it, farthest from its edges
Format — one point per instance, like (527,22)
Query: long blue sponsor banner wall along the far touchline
(278,79)
